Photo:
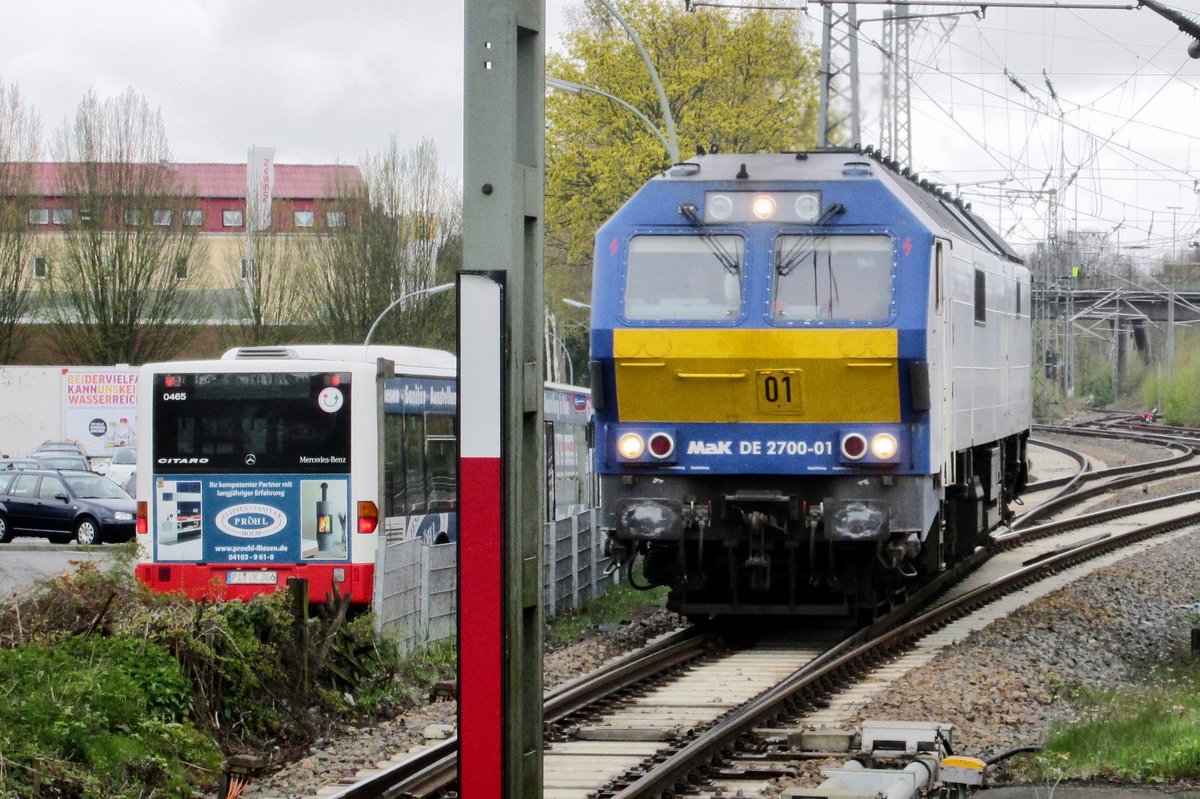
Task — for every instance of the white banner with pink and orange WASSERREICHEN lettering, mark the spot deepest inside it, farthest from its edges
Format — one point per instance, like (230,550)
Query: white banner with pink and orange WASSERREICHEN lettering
(100,408)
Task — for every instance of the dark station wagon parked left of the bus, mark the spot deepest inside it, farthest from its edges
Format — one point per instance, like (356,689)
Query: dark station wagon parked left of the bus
(65,507)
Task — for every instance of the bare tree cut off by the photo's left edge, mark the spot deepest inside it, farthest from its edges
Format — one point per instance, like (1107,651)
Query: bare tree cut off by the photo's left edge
(20,146)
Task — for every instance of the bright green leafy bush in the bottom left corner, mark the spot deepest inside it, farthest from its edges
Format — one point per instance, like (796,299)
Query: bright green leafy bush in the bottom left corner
(99,718)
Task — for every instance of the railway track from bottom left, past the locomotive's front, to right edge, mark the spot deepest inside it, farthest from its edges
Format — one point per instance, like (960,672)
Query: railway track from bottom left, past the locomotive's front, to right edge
(653,741)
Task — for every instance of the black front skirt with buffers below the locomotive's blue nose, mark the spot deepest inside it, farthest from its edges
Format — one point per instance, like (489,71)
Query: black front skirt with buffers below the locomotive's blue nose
(776,544)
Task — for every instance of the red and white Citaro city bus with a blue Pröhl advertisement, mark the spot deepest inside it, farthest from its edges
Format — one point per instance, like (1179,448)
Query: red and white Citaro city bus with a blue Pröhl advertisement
(295,461)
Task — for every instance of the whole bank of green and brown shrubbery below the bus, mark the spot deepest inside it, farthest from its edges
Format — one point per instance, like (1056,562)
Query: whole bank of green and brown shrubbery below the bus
(110,690)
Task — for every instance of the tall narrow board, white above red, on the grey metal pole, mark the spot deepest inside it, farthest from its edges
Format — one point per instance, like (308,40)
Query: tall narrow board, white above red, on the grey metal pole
(482,590)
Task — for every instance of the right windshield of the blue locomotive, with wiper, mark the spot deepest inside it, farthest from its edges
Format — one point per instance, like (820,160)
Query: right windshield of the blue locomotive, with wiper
(833,278)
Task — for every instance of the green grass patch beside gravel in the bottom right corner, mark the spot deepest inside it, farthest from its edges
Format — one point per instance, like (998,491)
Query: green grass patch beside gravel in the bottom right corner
(1148,736)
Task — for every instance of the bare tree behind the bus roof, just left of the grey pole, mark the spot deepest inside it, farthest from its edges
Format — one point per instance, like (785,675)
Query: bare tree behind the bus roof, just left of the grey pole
(401,229)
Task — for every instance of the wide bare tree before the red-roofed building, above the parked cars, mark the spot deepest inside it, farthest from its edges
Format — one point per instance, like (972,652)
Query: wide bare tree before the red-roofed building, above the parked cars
(115,293)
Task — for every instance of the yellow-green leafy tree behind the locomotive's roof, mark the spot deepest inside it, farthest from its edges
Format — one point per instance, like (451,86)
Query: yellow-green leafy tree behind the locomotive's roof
(739,81)
